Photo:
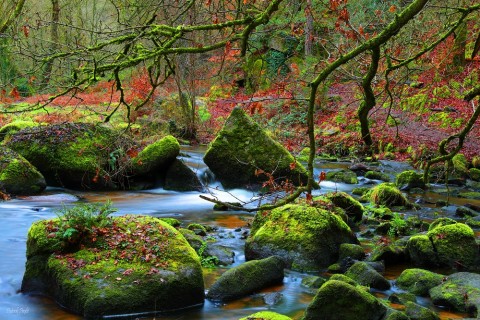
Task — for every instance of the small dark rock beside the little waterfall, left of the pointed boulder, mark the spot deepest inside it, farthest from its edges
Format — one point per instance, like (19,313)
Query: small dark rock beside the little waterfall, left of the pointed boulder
(180,177)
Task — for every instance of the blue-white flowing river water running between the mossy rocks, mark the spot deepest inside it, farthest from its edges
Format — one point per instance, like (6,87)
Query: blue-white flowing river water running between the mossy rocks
(17,215)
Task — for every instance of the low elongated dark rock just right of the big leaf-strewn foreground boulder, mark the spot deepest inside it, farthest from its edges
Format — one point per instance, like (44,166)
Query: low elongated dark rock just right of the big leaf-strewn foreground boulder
(247,278)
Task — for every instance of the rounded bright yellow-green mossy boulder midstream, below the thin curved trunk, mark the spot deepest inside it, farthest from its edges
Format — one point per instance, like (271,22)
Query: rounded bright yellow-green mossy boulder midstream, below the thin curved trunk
(307,238)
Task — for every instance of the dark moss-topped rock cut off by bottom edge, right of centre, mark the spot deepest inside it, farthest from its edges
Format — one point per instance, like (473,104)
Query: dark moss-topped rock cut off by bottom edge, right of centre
(338,300)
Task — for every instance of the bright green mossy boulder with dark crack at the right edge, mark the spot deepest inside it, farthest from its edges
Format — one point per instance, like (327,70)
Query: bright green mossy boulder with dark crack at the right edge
(451,245)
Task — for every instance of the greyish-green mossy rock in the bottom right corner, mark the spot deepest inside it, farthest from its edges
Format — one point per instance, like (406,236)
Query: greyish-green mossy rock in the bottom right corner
(459,292)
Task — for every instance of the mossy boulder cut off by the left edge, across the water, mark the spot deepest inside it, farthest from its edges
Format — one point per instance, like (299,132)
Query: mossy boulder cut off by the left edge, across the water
(18,176)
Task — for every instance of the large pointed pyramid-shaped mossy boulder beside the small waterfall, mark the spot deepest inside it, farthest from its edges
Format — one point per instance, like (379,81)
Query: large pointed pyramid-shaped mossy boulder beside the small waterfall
(242,150)
